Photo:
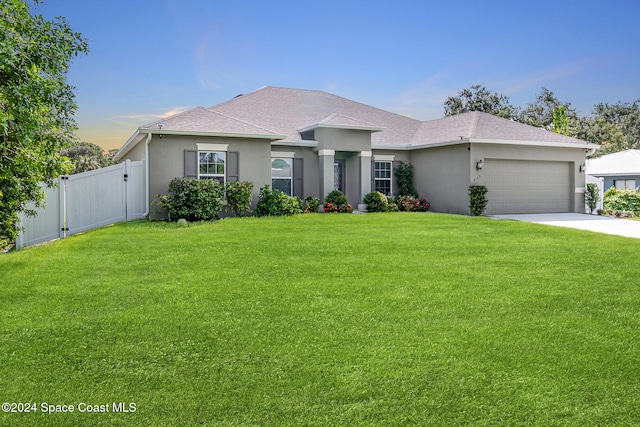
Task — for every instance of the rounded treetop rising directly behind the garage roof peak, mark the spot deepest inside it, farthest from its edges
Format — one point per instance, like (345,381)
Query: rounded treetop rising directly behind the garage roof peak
(478,98)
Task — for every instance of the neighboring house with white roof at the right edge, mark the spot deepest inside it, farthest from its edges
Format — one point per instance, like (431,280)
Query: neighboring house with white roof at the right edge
(620,170)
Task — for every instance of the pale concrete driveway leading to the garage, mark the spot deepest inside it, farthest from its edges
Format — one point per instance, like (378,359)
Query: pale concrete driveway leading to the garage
(599,224)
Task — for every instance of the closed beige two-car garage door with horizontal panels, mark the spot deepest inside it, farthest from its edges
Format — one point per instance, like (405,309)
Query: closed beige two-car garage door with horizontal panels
(518,186)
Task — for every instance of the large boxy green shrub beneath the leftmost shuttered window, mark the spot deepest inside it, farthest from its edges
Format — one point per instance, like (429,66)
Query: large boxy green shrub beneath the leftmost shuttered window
(195,199)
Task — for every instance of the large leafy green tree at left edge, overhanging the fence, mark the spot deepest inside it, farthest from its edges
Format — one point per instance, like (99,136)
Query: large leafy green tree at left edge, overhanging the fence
(36,106)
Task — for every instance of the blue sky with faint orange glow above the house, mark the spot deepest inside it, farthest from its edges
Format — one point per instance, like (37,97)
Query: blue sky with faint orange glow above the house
(151,59)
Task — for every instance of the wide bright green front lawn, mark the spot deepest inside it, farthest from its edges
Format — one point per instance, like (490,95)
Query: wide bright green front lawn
(316,320)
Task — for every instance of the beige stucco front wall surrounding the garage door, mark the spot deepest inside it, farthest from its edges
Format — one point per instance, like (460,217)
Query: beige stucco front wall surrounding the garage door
(574,156)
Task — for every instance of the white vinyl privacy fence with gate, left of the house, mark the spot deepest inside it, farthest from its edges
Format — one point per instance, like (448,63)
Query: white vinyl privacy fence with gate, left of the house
(86,201)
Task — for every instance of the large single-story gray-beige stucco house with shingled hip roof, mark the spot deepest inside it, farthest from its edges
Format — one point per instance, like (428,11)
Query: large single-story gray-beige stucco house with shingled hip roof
(309,142)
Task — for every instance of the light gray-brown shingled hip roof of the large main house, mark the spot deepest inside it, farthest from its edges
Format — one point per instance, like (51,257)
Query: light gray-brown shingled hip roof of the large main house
(281,114)
